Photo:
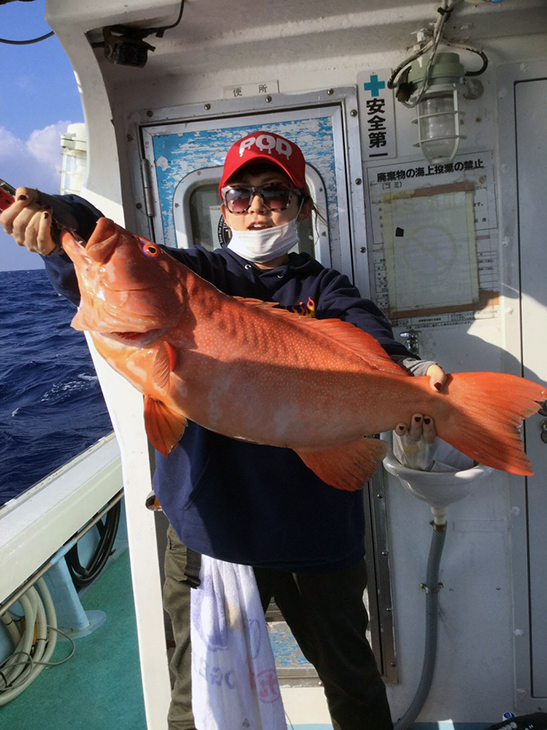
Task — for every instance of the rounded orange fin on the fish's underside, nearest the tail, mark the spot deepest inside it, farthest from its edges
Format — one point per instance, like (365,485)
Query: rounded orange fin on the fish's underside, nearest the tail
(347,466)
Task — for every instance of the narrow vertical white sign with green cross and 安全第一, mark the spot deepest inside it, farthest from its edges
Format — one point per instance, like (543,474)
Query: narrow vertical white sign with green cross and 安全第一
(377,115)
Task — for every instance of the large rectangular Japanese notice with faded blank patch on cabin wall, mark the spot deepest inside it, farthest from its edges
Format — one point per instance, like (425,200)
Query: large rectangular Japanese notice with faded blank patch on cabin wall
(434,224)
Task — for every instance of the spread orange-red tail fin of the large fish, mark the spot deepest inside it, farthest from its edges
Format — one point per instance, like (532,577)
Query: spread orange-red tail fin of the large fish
(488,411)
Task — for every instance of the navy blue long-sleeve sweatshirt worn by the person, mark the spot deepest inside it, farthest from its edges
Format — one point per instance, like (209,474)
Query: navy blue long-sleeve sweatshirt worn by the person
(242,502)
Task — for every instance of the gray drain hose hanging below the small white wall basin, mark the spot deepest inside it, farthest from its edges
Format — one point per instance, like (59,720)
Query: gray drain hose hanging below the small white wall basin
(431,587)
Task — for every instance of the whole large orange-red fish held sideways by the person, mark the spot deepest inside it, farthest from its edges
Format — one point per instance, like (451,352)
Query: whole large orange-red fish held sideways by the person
(252,371)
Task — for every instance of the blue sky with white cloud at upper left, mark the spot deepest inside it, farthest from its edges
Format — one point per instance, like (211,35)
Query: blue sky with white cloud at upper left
(38,100)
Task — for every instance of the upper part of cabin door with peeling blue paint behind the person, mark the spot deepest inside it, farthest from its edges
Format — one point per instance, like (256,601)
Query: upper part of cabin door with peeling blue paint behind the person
(183,158)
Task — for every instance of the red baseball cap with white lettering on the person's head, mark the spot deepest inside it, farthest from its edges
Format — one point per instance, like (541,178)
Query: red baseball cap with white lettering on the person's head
(269,147)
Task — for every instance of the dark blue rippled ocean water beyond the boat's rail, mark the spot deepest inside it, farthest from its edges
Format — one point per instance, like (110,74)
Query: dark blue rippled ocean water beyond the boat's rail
(51,405)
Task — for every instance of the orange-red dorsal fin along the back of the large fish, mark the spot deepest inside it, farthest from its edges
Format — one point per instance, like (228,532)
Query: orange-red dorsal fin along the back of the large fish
(346,334)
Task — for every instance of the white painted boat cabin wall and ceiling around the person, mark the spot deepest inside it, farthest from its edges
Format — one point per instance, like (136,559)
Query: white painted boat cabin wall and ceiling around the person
(212,68)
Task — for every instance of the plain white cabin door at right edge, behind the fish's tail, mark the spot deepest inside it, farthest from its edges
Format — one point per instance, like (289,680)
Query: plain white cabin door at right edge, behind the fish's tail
(531,159)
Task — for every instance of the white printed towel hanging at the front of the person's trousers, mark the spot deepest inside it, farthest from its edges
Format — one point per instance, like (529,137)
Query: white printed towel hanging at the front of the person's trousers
(234,681)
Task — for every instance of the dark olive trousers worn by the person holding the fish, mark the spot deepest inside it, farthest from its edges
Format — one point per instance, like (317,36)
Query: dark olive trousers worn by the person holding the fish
(328,619)
